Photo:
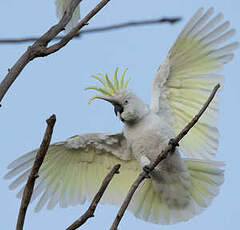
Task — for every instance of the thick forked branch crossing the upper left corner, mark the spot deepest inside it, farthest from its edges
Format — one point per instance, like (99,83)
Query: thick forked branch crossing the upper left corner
(40,49)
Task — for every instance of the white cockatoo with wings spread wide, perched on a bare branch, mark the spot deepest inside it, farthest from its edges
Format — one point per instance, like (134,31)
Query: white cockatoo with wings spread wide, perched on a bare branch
(179,188)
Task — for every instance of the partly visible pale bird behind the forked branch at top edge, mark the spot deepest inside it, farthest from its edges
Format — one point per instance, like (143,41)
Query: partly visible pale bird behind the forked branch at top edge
(61,7)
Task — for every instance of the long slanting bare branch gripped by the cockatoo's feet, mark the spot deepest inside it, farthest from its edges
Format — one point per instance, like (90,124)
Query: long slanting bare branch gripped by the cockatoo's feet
(163,155)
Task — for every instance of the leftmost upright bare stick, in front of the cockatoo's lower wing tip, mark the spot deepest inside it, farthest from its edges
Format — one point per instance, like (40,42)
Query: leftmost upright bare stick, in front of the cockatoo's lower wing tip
(28,190)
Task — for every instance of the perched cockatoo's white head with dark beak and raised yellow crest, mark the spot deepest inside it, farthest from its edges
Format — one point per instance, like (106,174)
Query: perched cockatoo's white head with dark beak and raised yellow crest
(127,106)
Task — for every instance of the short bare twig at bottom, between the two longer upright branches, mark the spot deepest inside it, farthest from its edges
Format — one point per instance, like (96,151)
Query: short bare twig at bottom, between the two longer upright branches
(90,212)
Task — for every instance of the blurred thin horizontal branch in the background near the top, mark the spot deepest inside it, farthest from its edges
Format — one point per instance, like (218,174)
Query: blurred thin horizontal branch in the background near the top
(99,29)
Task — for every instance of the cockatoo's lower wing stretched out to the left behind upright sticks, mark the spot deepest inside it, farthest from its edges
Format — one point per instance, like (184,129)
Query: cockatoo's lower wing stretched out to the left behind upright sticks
(73,170)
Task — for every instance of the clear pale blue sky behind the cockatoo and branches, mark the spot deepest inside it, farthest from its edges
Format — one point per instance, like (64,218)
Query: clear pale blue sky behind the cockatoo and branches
(55,84)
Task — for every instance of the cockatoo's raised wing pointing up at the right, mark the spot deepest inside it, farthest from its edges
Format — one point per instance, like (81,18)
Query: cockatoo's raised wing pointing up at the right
(185,79)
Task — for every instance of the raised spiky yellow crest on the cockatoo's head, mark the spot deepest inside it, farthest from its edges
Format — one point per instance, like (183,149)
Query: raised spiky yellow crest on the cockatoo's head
(109,88)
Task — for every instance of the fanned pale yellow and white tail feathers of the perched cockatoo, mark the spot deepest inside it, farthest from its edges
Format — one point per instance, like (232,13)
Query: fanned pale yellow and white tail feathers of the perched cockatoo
(205,180)
